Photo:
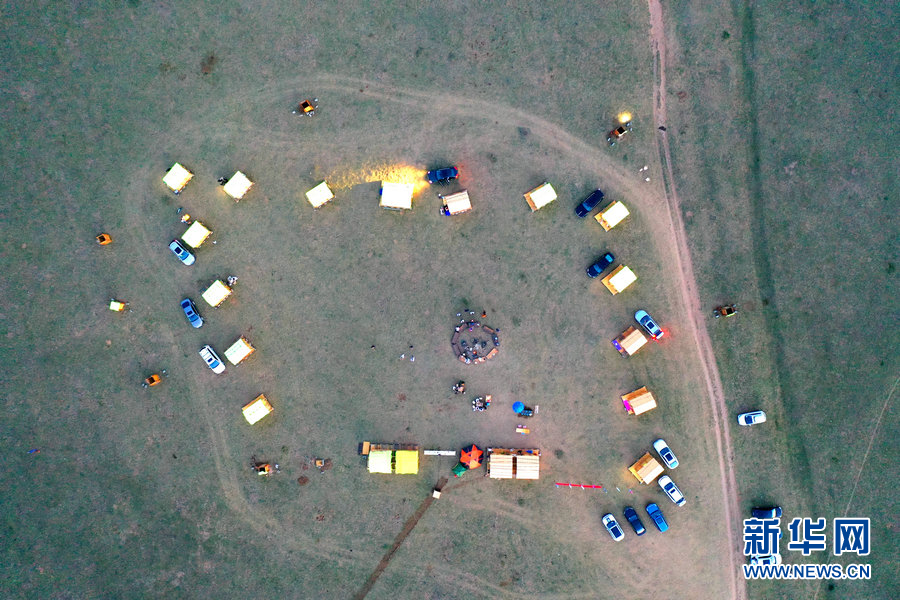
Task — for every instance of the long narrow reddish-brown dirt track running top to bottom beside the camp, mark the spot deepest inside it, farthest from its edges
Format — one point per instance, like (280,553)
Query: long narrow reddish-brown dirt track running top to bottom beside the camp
(693,309)
